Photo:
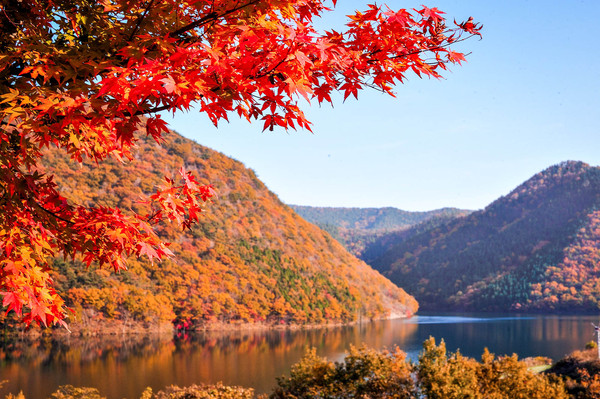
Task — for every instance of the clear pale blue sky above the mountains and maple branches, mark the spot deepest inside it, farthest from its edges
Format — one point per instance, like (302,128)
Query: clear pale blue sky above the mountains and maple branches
(528,98)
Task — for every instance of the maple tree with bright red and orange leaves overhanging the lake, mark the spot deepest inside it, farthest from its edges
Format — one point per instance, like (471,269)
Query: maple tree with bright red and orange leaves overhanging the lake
(89,77)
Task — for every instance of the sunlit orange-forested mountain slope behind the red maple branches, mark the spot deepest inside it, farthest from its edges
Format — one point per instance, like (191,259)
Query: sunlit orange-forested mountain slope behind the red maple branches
(250,259)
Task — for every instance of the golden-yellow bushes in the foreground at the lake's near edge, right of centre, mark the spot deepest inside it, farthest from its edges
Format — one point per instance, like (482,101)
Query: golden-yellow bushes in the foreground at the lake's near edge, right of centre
(366,373)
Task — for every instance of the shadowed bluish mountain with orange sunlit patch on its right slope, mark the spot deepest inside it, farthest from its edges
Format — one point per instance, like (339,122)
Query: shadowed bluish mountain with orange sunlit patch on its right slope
(536,249)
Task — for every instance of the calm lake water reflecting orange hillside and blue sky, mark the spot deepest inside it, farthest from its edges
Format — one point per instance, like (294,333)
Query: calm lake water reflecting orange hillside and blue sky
(122,368)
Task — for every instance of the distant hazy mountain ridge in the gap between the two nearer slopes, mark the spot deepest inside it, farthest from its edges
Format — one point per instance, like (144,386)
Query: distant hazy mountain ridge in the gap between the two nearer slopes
(368,232)
